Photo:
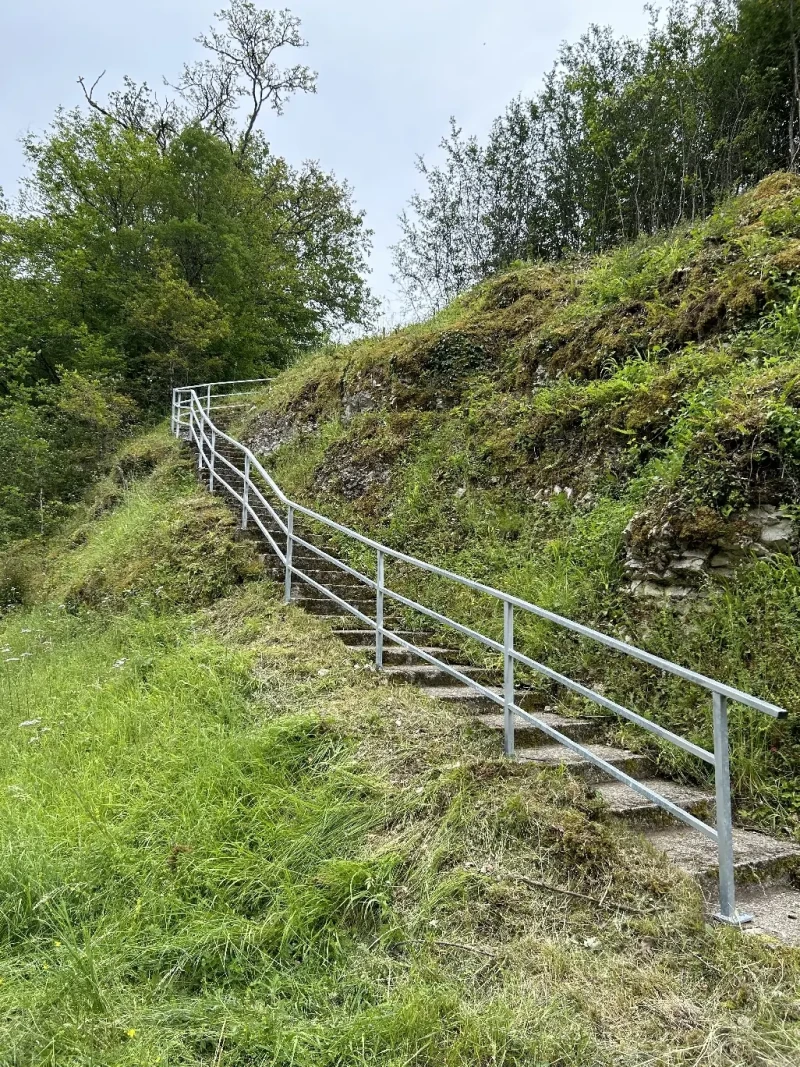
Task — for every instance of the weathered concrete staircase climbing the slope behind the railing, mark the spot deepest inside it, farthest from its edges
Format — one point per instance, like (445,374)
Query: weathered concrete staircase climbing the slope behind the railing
(766,869)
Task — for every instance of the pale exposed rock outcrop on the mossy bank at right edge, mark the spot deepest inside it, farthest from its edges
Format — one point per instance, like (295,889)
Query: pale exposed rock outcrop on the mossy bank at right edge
(662,564)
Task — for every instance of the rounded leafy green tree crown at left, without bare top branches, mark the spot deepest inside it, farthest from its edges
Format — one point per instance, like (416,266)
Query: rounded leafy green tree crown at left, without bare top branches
(161,267)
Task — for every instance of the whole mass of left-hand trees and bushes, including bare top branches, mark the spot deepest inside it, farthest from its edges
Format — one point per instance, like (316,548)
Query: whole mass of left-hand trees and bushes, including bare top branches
(159,243)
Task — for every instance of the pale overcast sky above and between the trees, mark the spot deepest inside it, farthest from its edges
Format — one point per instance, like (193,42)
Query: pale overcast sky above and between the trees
(391,74)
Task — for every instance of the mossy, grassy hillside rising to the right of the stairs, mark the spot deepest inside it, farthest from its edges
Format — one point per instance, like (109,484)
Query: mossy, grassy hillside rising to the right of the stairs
(617,440)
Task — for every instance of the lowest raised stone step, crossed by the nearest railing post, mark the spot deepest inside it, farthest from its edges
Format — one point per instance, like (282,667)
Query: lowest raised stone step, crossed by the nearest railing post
(757,857)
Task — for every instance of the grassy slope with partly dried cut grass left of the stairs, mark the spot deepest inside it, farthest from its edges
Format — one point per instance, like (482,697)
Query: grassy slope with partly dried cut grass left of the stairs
(226,841)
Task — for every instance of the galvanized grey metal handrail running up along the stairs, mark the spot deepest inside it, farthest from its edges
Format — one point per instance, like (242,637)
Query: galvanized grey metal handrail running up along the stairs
(205,435)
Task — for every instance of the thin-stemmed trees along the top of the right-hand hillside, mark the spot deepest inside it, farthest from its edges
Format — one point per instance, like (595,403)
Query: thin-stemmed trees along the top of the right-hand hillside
(626,138)
